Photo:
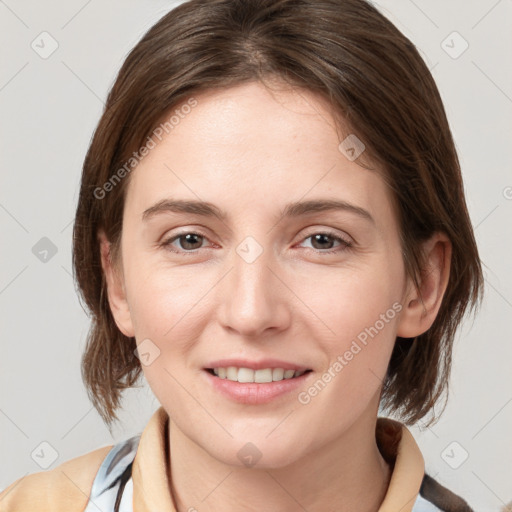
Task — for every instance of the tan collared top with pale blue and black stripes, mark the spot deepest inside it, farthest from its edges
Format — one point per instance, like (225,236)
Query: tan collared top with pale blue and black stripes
(135,471)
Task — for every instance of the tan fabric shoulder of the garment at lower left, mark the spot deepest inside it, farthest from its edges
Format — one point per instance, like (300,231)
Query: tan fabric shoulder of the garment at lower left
(64,488)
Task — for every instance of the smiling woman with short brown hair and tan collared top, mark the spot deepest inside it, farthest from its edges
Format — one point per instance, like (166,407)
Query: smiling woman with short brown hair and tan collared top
(272,229)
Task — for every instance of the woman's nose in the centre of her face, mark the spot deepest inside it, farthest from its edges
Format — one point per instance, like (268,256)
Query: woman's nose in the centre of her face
(254,300)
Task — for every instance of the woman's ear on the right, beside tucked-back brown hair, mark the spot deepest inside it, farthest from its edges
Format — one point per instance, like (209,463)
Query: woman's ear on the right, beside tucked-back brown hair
(421,308)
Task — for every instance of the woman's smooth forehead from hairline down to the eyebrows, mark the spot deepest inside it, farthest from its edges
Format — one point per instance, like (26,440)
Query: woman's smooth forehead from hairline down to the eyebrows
(253,148)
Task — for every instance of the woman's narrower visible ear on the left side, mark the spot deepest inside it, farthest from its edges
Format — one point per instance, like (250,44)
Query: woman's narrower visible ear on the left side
(115,288)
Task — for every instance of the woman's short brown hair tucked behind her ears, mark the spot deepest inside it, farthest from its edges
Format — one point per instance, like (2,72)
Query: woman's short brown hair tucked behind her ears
(376,82)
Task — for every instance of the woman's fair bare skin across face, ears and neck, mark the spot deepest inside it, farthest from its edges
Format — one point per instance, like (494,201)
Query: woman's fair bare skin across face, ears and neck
(250,151)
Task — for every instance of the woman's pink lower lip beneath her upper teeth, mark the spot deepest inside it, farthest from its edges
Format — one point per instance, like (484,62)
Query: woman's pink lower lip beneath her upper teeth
(255,393)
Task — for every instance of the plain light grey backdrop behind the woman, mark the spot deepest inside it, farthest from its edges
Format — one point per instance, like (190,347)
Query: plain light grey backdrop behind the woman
(49,109)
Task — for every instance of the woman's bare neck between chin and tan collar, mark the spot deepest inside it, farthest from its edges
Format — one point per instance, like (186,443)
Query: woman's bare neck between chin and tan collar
(348,473)
